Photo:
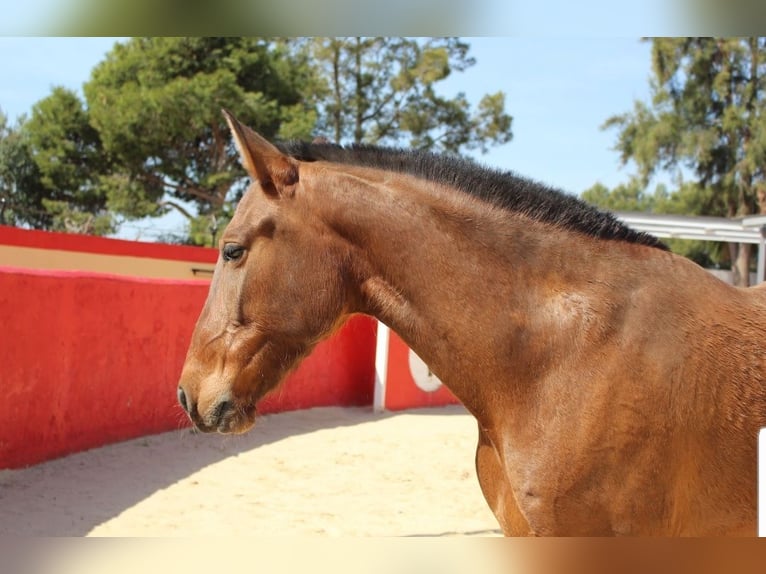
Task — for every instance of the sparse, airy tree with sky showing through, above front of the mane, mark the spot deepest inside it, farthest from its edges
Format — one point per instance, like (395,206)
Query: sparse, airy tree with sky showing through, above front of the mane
(380,90)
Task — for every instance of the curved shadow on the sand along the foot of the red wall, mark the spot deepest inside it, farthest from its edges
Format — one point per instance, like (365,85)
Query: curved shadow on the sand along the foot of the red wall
(70,496)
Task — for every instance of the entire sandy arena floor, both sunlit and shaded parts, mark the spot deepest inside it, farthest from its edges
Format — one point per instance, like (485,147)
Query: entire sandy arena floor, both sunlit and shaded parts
(325,471)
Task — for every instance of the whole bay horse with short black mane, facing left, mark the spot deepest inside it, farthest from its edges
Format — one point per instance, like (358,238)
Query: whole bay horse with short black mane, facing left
(618,388)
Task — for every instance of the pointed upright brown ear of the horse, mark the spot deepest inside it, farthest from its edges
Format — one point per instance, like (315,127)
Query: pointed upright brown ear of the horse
(263,162)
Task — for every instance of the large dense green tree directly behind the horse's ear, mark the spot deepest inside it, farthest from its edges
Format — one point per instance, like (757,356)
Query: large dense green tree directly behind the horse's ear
(156,103)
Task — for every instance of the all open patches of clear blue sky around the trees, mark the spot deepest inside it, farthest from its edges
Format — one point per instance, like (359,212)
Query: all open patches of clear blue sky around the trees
(559,90)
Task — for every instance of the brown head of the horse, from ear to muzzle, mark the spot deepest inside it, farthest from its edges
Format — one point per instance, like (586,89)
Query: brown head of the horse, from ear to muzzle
(278,288)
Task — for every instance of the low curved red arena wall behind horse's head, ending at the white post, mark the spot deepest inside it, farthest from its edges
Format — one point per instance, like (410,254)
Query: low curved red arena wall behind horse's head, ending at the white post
(87,359)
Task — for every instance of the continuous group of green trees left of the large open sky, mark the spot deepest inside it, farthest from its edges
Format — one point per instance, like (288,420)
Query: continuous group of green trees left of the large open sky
(151,137)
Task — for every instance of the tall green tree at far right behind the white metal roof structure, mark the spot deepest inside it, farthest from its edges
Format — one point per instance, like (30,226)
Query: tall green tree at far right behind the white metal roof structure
(708,115)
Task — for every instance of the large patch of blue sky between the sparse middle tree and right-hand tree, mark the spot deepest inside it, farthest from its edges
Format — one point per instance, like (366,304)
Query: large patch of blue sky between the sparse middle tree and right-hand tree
(559,92)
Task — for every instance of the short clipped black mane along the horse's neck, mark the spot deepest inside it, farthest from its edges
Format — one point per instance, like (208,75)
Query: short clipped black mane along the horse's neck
(503,189)
